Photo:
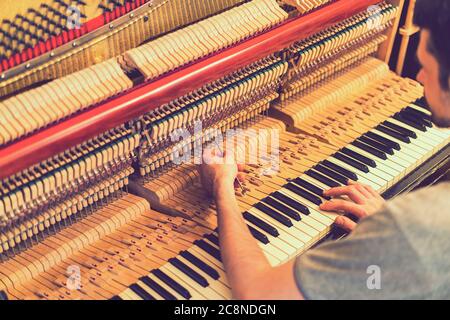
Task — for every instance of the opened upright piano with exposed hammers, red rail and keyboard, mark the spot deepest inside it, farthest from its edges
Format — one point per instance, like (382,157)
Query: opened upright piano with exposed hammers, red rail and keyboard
(119,216)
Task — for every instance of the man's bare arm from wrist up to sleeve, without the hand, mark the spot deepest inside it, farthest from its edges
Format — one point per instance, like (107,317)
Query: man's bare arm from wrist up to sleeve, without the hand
(250,275)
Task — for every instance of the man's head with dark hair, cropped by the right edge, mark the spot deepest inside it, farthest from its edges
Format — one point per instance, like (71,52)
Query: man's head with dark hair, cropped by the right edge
(433,16)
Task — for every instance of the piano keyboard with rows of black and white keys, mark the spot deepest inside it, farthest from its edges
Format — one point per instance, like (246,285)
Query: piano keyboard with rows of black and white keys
(288,221)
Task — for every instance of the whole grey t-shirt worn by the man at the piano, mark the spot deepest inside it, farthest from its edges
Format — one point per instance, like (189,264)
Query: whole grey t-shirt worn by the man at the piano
(403,252)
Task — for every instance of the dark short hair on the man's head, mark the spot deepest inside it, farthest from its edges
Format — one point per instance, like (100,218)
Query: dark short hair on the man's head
(434,16)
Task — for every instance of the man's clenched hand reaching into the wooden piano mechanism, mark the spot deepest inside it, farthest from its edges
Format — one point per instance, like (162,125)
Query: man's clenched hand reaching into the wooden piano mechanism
(219,169)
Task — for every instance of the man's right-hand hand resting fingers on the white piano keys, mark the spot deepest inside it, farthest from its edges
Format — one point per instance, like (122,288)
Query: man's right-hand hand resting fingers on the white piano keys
(361,201)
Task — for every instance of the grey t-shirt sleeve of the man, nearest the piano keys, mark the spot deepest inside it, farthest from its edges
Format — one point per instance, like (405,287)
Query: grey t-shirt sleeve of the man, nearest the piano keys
(375,262)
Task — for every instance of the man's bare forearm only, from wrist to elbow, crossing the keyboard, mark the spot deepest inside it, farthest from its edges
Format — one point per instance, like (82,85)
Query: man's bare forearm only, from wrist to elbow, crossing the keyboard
(242,257)
